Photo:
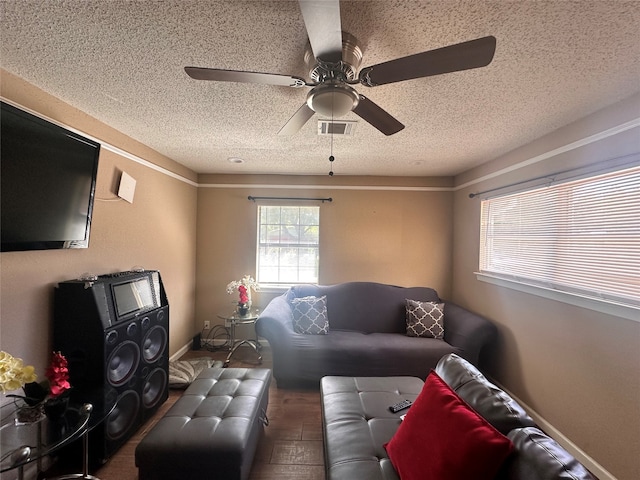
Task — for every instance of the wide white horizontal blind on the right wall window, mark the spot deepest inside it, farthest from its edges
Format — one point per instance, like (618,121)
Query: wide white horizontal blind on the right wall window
(581,237)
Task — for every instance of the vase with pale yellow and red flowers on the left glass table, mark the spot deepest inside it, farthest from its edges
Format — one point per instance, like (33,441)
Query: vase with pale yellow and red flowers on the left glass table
(50,397)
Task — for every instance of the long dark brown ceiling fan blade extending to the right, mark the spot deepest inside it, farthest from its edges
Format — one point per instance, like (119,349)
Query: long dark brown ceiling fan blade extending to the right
(462,56)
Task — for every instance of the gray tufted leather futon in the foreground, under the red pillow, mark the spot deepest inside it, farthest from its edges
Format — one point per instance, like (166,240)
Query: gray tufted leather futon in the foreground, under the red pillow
(357,424)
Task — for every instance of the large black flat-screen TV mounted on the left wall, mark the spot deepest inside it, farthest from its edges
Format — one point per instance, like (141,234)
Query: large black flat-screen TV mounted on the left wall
(48,179)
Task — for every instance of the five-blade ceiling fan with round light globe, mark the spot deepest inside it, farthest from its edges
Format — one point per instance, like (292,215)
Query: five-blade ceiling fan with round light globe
(334,57)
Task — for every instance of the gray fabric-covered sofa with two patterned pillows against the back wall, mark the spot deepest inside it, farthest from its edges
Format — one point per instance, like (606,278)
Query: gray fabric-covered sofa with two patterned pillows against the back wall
(367,334)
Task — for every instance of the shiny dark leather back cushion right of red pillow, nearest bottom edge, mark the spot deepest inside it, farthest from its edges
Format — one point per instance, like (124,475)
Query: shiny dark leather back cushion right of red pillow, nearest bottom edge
(538,456)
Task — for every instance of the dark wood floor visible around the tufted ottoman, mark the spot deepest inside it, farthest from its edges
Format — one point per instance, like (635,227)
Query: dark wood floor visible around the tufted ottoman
(290,449)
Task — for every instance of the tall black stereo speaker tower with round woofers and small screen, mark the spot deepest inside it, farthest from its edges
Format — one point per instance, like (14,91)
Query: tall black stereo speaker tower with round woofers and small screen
(114,331)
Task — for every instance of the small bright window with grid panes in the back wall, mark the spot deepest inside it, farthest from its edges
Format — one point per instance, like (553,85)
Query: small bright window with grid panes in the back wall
(288,244)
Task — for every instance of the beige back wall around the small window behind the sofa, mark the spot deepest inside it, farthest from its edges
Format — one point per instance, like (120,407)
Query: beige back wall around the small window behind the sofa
(390,234)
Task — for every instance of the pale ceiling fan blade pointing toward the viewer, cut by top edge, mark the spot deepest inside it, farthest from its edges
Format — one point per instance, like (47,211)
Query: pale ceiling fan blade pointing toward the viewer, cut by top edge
(322,20)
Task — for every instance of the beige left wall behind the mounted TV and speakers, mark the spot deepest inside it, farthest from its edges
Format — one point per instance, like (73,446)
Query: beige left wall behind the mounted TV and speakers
(157,231)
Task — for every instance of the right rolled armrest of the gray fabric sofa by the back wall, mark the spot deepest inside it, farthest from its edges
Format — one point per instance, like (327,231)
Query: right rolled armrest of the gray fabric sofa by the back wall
(467,331)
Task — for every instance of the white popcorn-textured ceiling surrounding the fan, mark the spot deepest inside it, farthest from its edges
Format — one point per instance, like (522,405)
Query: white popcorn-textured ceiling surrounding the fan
(122,63)
